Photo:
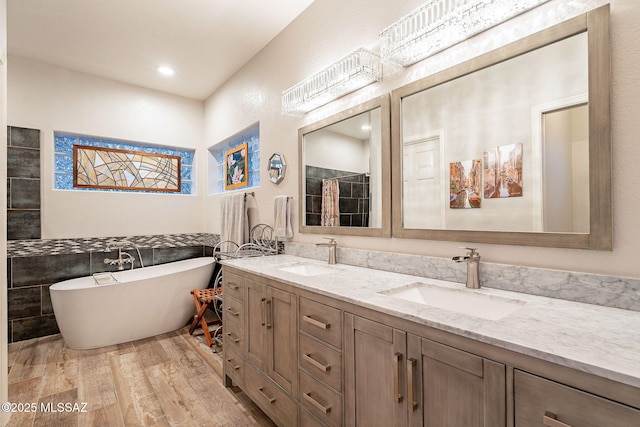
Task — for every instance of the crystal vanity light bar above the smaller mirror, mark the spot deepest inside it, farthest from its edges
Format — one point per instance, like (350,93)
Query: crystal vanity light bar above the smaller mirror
(352,72)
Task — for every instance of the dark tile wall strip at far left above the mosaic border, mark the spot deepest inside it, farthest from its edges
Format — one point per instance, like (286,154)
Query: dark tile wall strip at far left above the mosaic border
(23,183)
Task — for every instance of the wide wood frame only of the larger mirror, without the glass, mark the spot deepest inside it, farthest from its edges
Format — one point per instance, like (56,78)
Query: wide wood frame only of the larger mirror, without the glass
(596,24)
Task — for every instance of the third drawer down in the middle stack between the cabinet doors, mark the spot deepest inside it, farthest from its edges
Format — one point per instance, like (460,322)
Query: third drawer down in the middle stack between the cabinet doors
(320,400)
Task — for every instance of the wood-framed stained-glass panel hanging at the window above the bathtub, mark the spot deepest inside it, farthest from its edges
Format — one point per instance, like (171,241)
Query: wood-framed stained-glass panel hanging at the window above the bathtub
(114,169)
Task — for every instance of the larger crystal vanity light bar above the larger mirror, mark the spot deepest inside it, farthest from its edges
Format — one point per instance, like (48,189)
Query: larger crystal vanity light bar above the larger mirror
(440,24)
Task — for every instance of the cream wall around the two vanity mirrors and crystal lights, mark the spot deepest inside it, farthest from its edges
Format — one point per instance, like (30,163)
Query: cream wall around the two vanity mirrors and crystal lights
(329,29)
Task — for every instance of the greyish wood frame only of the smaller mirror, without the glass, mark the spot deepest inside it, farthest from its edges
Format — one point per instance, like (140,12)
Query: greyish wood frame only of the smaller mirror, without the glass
(384,230)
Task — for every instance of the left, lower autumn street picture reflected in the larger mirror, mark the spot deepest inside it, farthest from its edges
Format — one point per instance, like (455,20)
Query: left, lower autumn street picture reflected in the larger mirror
(465,182)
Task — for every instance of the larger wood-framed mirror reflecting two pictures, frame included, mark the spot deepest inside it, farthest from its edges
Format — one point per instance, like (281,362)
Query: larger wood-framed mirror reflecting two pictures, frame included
(511,147)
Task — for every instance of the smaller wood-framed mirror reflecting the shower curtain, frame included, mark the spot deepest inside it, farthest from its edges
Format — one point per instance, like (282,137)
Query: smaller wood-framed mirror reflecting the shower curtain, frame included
(345,185)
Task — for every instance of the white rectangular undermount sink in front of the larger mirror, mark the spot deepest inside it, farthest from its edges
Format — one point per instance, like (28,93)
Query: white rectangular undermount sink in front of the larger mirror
(464,301)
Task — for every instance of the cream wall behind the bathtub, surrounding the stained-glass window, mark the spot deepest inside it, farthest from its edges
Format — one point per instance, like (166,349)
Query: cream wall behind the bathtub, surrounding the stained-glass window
(54,99)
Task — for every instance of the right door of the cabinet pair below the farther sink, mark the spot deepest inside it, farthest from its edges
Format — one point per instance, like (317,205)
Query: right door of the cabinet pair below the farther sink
(282,344)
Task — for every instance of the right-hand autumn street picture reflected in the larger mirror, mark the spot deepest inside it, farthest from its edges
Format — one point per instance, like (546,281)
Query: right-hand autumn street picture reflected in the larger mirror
(503,171)
